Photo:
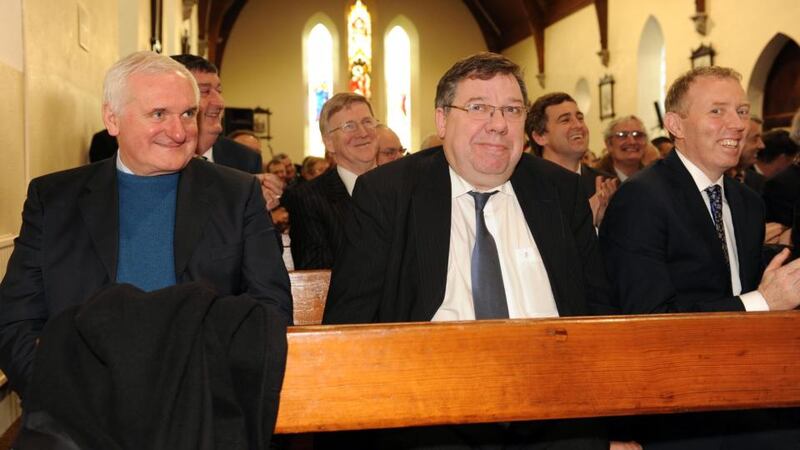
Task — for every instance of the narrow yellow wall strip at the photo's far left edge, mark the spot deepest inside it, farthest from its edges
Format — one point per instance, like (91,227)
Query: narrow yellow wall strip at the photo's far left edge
(12,142)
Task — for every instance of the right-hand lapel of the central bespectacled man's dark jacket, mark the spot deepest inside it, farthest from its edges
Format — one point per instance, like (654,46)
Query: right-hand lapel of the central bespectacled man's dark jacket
(537,200)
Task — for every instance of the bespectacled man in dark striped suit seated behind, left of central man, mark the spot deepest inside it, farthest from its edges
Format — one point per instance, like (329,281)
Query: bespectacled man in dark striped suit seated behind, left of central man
(318,209)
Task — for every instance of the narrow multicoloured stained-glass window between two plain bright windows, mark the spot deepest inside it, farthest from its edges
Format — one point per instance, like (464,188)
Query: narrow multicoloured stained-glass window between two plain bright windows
(359,49)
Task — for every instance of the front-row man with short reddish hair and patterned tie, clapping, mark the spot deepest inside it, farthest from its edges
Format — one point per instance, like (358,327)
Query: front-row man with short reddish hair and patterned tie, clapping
(681,237)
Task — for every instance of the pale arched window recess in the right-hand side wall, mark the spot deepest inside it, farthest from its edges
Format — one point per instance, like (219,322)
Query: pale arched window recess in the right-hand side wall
(652,71)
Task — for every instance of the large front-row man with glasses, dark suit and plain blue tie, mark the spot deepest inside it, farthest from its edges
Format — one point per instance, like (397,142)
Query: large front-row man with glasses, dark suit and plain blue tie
(412,253)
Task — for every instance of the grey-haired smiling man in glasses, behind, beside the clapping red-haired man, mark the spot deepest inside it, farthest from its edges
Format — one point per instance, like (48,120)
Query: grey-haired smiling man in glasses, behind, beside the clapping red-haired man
(625,141)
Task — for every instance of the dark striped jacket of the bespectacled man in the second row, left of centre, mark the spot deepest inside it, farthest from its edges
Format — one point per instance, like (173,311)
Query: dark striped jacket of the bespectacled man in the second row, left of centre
(317,213)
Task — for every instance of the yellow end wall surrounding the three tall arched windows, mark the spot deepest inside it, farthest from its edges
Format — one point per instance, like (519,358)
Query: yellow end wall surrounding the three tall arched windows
(263,58)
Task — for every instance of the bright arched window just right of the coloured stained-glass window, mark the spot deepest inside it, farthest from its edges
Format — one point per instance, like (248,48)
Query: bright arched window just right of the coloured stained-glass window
(397,68)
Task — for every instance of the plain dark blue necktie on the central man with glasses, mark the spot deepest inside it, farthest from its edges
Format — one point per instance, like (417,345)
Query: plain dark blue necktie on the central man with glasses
(488,293)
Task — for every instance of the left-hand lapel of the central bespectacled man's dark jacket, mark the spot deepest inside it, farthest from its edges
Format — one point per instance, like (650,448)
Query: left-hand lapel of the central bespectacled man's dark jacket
(431,214)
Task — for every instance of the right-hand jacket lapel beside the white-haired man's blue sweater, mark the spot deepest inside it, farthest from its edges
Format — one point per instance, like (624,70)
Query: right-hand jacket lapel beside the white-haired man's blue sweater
(194,204)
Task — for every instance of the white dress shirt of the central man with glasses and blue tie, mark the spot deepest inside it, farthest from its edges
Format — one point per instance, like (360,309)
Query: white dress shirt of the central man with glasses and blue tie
(525,280)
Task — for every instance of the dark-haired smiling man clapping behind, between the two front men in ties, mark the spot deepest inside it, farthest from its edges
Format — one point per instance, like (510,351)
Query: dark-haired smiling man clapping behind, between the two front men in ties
(558,133)
